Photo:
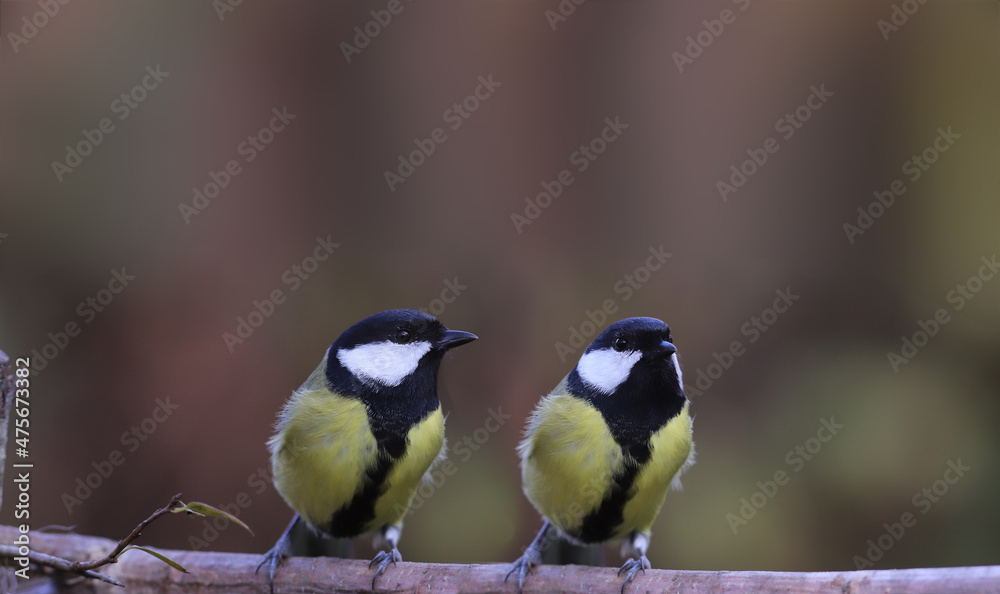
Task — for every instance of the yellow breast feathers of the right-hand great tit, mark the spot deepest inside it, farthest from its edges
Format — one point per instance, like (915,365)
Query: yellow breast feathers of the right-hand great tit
(569,458)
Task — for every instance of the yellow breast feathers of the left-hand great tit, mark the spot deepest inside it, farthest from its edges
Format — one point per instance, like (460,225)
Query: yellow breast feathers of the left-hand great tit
(324,445)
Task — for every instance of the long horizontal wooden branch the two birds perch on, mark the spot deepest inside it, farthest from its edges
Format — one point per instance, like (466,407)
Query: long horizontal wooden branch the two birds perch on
(232,572)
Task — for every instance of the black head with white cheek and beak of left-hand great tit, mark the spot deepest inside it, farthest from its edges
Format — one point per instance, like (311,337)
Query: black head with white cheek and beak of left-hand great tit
(385,350)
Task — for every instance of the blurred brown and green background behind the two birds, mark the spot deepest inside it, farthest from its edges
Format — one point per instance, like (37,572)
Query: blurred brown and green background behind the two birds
(450,221)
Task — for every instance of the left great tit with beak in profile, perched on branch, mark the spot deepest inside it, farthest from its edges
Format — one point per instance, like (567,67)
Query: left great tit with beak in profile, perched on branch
(352,443)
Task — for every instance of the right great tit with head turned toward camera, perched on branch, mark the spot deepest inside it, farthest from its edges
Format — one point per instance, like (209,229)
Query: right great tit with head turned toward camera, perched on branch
(602,449)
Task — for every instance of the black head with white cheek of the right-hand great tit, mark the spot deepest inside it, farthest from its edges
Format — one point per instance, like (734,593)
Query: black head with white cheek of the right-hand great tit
(630,359)
